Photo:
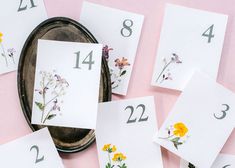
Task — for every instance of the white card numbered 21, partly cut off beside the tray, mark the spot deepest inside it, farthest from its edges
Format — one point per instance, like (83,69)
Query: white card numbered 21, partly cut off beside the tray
(18,19)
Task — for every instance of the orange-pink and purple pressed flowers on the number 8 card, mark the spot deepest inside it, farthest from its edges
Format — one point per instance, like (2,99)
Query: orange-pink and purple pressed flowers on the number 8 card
(120,63)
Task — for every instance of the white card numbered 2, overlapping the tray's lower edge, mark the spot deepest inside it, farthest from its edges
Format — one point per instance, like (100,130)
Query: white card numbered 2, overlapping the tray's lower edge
(33,150)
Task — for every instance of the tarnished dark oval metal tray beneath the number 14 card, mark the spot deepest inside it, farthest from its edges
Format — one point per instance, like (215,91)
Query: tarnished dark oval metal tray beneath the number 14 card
(62,29)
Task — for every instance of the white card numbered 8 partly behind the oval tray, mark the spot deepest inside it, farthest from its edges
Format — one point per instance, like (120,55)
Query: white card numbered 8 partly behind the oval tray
(119,31)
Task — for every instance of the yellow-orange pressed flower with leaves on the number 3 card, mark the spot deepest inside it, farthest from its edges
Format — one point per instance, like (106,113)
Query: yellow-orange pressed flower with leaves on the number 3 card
(176,134)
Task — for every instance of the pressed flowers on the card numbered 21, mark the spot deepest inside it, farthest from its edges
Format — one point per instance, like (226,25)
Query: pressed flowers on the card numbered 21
(10,52)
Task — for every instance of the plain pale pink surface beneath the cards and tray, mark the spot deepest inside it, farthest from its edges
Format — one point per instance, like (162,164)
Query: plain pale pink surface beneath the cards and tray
(13,123)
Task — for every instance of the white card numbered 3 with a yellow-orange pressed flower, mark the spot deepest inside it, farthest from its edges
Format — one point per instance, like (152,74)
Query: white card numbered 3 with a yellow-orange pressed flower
(202,118)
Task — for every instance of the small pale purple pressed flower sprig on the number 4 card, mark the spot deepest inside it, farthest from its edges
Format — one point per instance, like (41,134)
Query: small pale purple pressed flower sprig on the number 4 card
(165,74)
